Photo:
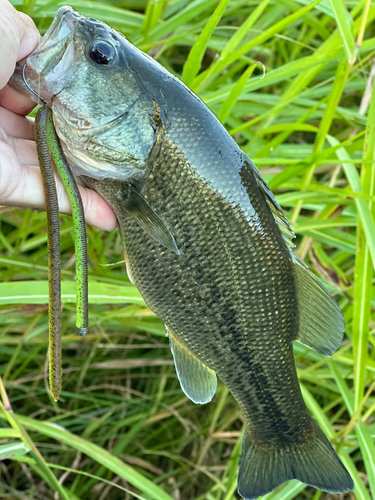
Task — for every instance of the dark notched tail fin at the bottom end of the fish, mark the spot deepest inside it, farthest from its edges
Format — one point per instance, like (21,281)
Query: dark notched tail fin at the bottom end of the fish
(264,468)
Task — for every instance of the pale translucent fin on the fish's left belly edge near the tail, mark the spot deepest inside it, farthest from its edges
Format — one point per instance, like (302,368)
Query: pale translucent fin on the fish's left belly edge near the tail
(197,380)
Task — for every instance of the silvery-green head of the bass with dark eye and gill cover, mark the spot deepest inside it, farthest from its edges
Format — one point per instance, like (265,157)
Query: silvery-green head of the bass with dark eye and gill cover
(107,121)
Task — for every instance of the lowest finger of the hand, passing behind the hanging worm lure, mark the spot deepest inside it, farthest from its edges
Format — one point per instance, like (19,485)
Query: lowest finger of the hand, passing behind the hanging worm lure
(22,186)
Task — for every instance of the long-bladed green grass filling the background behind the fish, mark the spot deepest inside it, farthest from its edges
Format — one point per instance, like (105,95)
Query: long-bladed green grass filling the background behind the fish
(123,427)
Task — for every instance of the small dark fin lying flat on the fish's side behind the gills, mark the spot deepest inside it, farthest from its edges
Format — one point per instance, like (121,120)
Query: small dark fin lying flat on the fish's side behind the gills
(138,208)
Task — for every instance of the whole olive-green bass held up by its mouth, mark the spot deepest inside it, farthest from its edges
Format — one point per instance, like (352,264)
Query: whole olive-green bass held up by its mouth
(205,241)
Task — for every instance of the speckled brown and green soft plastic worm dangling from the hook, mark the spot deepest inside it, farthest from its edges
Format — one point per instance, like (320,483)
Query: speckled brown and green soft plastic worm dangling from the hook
(48,145)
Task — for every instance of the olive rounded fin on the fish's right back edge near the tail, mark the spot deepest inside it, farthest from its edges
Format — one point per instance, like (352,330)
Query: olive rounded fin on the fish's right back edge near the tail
(321,323)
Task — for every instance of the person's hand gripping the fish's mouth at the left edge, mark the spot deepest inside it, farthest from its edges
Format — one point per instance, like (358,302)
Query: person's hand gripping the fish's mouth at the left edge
(20,180)
